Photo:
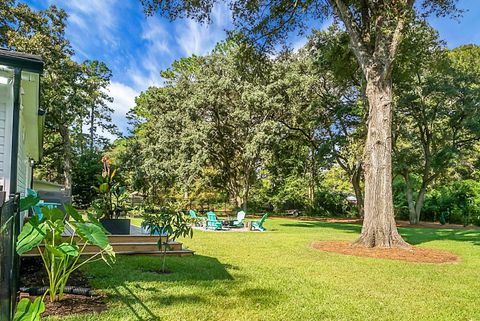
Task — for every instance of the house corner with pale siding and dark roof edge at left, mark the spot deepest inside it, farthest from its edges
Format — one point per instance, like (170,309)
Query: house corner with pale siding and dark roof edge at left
(19,75)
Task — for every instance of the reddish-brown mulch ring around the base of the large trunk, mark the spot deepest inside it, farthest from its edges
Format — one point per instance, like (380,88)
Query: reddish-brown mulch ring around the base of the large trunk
(415,254)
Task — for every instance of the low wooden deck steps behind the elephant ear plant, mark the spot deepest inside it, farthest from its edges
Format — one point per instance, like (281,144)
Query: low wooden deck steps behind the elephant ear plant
(130,245)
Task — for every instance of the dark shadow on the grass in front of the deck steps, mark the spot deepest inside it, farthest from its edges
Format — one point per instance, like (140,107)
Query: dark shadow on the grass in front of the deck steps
(133,273)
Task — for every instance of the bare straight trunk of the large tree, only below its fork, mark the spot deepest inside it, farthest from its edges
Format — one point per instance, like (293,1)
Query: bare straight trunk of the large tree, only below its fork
(379,228)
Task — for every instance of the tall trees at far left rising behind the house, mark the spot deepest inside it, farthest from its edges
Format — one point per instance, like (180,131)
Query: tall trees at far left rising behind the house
(73,94)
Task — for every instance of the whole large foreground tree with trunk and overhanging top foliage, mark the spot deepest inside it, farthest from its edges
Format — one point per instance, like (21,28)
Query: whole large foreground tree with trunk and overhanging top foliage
(375,30)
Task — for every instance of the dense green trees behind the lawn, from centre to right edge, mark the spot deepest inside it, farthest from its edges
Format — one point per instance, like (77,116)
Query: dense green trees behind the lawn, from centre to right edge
(241,128)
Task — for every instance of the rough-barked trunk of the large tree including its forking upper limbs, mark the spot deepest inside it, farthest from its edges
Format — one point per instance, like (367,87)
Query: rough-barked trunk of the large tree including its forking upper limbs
(374,41)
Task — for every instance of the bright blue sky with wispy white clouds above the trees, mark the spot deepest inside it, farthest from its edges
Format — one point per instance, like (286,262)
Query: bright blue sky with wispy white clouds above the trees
(137,48)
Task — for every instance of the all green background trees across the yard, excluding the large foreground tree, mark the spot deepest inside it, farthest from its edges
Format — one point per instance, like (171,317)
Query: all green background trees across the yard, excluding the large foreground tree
(242,128)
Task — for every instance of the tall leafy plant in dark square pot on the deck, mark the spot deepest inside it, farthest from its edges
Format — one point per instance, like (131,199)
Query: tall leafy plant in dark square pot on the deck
(110,206)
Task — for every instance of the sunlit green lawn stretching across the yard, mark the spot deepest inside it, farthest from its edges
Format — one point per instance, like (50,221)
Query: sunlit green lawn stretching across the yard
(277,276)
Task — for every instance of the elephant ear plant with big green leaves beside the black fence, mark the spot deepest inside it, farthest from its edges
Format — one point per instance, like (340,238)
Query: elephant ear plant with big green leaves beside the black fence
(60,254)
